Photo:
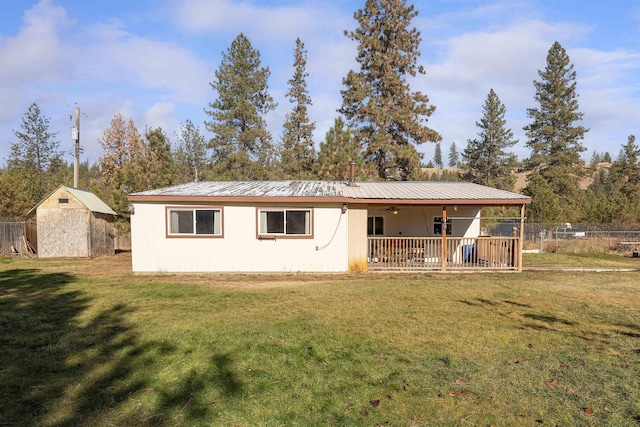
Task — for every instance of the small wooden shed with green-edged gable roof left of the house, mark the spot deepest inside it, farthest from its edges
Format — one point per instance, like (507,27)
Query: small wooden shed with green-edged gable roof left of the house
(74,223)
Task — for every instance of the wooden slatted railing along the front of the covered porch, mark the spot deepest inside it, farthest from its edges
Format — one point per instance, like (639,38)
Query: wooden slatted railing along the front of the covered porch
(426,253)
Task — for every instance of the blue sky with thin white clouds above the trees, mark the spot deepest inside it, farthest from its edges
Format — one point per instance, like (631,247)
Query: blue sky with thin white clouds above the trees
(152,61)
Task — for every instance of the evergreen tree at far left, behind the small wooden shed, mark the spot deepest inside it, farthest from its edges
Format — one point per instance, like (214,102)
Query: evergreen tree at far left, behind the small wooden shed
(35,155)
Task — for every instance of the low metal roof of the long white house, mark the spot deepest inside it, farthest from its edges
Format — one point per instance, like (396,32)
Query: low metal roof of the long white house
(408,192)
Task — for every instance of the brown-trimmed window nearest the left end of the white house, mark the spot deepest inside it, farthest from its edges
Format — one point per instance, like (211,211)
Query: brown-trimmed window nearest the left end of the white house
(201,222)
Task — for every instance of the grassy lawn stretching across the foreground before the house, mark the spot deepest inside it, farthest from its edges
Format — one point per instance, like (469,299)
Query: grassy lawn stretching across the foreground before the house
(85,342)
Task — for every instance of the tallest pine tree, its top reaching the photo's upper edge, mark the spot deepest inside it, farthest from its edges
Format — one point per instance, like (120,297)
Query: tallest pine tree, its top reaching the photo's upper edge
(388,119)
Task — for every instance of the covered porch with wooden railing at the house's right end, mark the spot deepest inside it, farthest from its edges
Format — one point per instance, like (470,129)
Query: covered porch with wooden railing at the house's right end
(442,238)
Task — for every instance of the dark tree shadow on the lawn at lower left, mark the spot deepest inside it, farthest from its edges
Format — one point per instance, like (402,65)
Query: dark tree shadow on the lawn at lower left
(57,369)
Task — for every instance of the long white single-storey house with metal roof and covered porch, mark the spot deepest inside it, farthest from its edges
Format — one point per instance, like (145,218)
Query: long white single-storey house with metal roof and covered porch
(319,226)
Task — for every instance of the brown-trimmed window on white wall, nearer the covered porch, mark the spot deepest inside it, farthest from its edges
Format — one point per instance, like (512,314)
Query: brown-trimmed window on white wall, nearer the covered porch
(285,222)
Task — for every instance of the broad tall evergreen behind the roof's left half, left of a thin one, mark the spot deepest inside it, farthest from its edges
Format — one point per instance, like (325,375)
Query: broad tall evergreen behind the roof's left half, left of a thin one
(242,147)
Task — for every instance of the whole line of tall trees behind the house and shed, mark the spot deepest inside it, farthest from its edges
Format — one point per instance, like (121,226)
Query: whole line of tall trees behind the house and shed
(379,125)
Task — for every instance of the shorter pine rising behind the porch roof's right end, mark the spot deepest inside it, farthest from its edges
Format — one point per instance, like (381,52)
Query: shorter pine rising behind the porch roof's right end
(485,159)
